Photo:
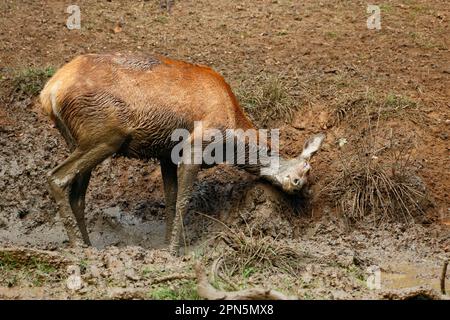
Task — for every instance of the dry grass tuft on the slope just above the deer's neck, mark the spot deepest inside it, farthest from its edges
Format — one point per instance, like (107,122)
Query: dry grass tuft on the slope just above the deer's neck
(267,99)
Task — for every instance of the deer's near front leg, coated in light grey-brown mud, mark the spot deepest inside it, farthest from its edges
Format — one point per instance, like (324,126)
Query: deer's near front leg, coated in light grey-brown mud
(186,178)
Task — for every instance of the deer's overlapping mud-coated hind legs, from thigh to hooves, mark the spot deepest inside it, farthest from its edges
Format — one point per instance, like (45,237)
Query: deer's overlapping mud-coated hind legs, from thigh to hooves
(68,183)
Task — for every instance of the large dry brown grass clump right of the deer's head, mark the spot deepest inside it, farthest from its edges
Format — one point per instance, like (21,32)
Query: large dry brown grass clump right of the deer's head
(377,183)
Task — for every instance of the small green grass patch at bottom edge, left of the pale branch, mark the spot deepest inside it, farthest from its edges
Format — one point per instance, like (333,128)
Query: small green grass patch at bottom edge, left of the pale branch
(186,290)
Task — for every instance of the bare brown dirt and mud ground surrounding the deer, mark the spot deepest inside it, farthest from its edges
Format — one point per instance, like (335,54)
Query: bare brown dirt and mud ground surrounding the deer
(328,61)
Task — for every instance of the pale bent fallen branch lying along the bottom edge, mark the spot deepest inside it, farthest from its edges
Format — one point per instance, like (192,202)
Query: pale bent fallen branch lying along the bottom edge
(207,291)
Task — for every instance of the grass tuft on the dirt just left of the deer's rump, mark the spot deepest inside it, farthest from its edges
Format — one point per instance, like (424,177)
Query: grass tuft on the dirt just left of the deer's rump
(29,82)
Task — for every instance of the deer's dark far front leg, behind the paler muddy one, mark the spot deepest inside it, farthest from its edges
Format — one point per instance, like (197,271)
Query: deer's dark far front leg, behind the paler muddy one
(169,175)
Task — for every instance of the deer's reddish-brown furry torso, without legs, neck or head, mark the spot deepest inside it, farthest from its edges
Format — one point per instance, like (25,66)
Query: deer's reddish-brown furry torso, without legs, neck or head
(143,99)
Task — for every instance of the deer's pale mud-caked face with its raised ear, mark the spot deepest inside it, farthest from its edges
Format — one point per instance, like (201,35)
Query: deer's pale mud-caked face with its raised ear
(296,171)
